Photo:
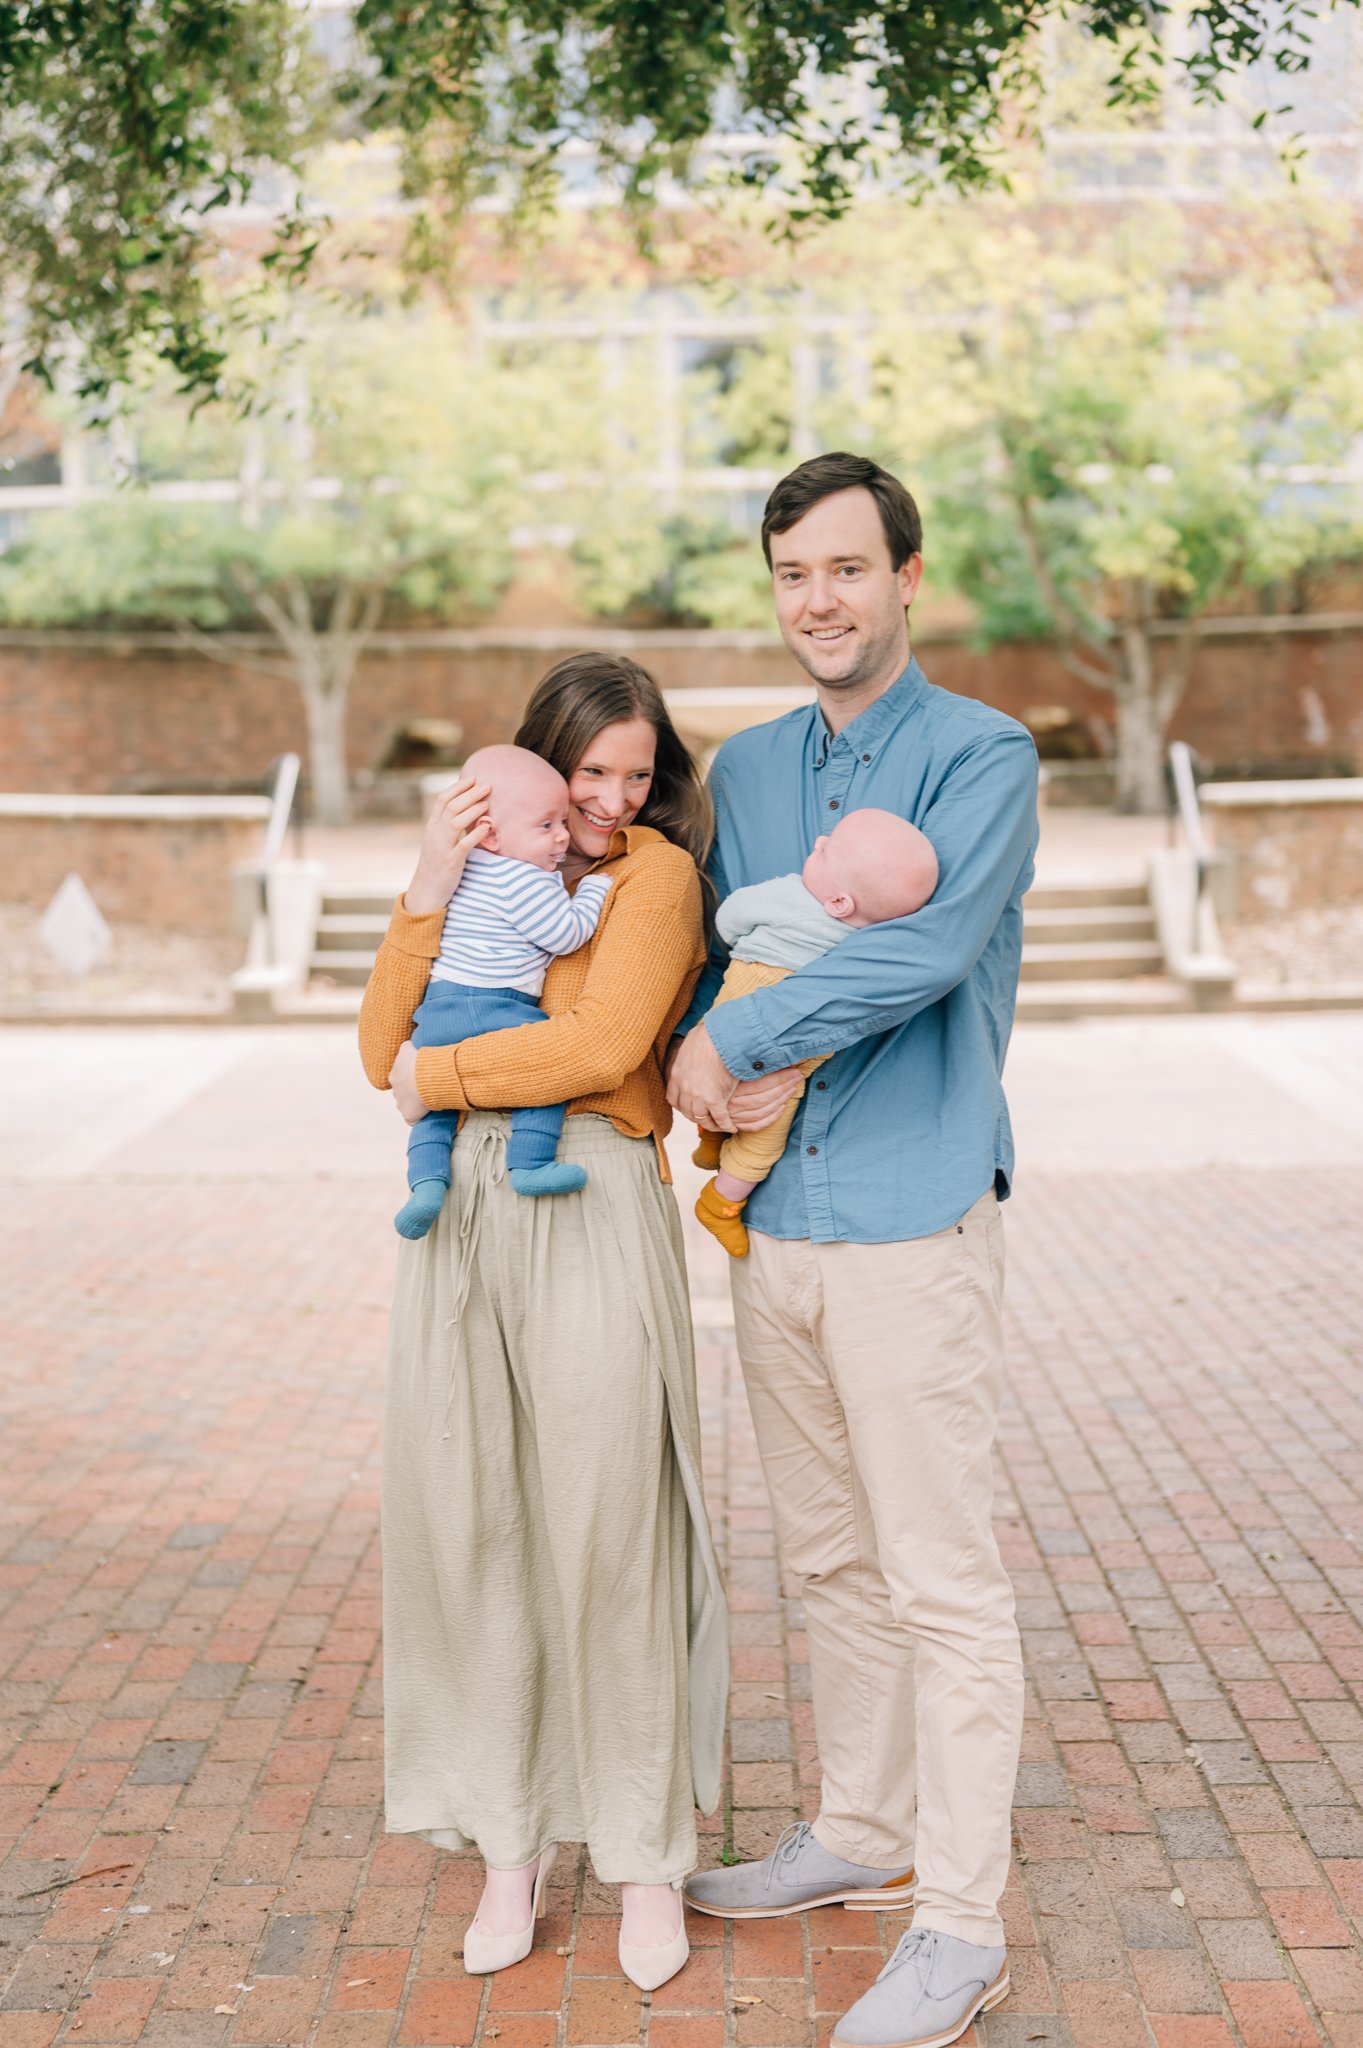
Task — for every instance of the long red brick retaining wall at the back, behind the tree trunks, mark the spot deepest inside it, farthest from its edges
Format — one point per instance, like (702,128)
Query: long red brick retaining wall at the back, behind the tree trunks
(132,716)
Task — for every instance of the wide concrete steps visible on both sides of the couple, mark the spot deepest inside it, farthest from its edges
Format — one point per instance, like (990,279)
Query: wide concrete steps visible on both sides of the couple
(1090,949)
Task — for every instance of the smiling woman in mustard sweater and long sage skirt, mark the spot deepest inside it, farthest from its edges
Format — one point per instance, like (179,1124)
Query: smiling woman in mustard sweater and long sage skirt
(556,1648)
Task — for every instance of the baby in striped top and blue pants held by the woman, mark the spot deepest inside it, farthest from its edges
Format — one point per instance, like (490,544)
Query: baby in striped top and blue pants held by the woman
(509,919)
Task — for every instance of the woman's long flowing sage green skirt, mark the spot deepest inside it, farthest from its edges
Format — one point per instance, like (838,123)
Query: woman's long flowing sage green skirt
(554,1619)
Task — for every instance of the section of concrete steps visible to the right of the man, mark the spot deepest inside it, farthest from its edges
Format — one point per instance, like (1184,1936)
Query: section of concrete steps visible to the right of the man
(1090,949)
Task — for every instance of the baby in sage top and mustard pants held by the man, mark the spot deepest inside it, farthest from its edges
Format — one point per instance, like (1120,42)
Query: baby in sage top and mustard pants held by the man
(869,869)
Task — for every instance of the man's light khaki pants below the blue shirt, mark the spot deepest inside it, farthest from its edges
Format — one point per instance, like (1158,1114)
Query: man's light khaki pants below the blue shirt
(875,1377)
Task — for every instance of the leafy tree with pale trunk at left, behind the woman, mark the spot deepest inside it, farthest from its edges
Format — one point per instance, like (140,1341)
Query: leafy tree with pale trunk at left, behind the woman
(388,486)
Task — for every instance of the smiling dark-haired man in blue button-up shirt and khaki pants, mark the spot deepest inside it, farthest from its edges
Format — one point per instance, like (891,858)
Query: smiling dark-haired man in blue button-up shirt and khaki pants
(869,1310)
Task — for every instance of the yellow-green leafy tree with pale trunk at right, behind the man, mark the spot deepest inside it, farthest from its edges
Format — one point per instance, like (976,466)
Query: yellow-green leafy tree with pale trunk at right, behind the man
(1114,435)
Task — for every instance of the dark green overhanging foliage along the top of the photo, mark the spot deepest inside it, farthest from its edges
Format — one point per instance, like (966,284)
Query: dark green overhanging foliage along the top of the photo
(126,126)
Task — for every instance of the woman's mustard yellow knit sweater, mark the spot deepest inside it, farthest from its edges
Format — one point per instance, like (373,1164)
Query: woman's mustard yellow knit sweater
(613,1007)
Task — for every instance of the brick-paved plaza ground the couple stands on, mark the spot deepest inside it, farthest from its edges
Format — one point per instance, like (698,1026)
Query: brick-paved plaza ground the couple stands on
(197,1261)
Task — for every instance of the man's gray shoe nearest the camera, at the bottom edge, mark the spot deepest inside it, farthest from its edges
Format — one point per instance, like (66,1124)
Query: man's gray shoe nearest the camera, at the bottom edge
(928,1994)
